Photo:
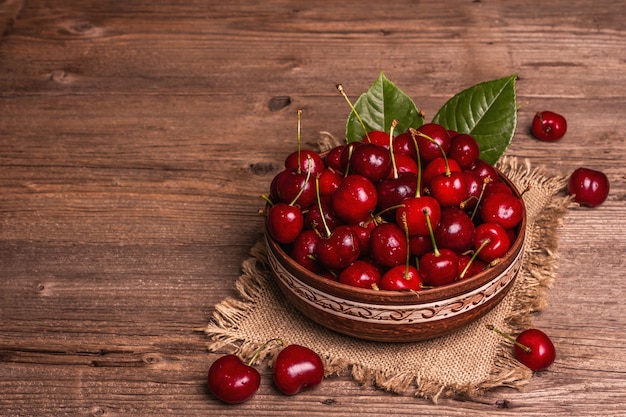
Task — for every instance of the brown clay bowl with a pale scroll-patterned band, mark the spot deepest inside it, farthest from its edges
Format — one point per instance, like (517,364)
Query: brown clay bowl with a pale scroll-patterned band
(393,316)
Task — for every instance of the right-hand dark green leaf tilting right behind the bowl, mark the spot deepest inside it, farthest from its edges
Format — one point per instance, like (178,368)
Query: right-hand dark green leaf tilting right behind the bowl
(488,112)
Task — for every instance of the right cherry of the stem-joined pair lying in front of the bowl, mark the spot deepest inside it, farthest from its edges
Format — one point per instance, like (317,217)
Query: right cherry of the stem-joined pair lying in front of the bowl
(297,368)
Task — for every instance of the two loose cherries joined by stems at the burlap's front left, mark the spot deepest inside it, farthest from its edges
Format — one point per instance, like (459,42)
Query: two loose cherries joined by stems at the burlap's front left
(296,369)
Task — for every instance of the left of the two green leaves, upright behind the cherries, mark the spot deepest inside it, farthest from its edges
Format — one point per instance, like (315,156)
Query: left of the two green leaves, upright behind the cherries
(378,107)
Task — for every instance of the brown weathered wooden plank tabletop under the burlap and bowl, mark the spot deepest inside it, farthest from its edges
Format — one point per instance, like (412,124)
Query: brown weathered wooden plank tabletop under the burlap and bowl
(135,138)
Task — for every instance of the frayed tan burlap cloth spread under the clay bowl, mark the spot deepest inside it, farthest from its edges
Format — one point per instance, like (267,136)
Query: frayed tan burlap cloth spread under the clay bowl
(465,364)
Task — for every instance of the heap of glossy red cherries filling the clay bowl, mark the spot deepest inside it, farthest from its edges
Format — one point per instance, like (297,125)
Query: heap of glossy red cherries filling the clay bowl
(362,213)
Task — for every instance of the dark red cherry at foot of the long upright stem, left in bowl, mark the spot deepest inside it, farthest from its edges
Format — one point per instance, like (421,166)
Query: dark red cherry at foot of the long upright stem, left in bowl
(338,250)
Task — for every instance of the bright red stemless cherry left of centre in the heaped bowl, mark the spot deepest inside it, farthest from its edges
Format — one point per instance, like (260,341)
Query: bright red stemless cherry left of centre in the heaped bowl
(355,199)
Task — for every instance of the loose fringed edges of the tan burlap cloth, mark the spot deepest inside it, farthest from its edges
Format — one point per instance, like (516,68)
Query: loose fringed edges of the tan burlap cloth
(539,270)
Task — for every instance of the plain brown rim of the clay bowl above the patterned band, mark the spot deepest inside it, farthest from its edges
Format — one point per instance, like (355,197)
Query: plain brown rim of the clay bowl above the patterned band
(367,295)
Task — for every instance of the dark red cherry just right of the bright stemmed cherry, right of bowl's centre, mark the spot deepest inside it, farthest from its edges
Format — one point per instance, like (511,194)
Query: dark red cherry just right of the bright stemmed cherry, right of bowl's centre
(456,230)
